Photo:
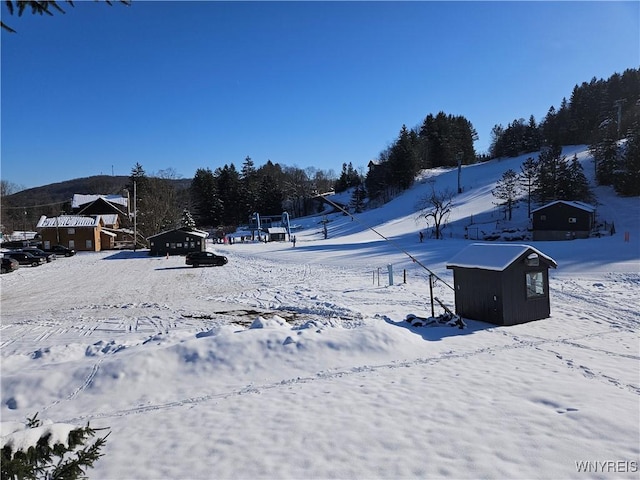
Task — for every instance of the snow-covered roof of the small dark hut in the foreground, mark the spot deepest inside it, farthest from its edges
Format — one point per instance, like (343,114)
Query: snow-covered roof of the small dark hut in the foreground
(494,256)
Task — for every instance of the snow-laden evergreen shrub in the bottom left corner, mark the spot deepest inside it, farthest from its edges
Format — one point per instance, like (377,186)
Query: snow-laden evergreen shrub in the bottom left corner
(48,451)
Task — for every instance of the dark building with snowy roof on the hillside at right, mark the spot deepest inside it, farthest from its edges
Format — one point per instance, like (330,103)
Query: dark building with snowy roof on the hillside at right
(563,220)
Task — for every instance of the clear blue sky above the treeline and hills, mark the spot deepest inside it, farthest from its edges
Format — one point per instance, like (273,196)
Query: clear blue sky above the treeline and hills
(188,85)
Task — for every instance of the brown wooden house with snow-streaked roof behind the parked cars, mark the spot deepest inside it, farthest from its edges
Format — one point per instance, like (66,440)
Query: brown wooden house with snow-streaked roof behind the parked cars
(74,231)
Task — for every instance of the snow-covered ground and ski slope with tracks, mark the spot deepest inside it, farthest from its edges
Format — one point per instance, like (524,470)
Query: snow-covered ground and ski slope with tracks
(296,362)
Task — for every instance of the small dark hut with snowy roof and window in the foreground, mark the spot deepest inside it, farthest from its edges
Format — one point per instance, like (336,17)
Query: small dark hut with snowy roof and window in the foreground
(504,284)
